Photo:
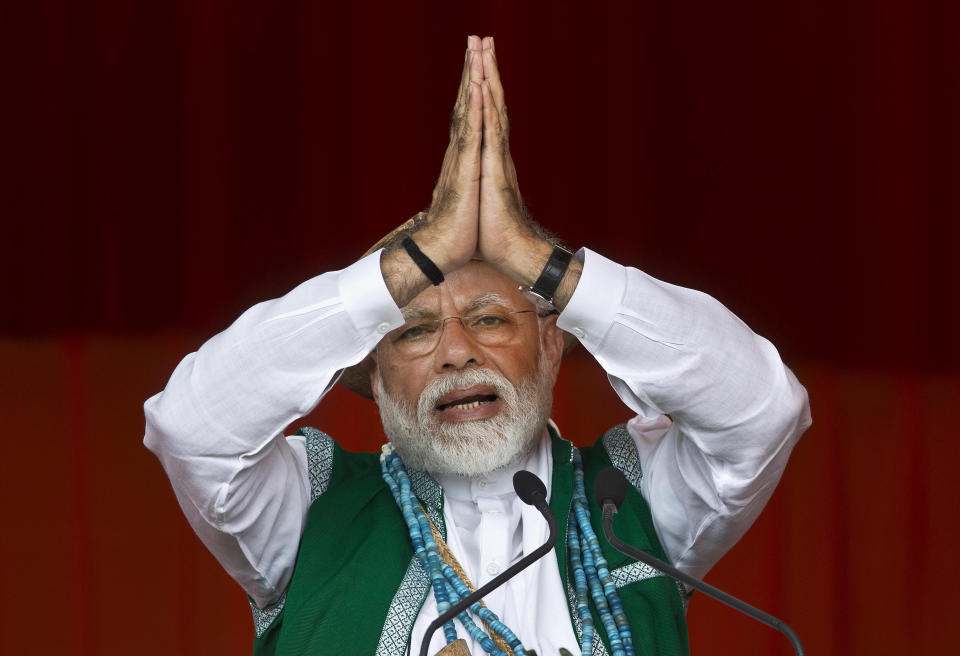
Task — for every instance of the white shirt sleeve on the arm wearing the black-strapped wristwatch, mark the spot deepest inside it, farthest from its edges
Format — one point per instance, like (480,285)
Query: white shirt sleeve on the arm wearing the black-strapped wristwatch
(717,411)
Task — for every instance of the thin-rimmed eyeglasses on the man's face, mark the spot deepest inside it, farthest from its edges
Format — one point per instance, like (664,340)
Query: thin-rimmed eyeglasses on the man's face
(419,337)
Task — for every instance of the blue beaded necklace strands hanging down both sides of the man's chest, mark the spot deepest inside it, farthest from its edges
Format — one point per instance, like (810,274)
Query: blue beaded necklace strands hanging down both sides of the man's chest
(591,575)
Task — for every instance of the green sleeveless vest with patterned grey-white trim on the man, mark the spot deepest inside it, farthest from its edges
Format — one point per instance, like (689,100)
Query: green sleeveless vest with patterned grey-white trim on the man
(357,586)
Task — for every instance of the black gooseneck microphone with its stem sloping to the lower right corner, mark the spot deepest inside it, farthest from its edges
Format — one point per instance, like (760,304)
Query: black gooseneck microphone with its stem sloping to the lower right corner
(610,491)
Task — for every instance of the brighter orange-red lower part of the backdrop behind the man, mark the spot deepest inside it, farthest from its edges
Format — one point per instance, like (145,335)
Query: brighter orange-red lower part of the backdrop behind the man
(93,535)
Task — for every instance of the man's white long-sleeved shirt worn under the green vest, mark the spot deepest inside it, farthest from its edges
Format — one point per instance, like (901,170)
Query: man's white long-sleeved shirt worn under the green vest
(735,412)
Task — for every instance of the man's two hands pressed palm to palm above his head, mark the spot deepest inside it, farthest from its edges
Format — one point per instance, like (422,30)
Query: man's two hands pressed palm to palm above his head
(476,208)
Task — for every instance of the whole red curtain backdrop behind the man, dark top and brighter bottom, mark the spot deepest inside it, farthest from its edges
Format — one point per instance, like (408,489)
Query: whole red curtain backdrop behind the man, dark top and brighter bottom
(167,164)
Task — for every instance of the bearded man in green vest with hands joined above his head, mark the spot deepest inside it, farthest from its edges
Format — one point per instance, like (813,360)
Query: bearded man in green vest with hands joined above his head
(334,549)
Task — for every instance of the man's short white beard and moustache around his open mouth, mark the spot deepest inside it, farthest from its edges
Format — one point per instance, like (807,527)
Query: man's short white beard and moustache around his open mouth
(474,447)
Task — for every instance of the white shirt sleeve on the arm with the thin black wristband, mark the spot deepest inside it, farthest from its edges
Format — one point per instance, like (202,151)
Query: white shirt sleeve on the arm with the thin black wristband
(217,427)
